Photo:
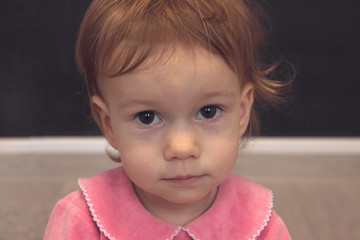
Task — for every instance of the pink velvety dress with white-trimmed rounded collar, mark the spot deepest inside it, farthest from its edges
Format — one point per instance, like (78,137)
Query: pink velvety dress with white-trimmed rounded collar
(107,208)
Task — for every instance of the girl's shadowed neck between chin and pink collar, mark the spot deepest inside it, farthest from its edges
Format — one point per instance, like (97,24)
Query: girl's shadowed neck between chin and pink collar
(178,214)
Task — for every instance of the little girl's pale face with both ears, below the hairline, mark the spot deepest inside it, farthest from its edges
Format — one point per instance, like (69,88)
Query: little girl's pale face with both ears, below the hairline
(176,125)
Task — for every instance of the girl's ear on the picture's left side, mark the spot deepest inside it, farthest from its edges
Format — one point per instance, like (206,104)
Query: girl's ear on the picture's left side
(103,111)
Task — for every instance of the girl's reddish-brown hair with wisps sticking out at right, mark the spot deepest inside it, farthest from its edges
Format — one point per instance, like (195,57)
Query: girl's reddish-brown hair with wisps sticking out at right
(117,36)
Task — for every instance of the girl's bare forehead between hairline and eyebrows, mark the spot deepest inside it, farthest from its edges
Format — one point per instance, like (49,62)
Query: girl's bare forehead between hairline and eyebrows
(181,79)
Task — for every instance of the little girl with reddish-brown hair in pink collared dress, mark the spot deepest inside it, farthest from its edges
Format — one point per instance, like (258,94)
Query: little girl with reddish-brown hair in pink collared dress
(172,85)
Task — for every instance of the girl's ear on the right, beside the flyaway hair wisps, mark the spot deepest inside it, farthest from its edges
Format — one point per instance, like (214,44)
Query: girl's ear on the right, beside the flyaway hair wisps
(246,102)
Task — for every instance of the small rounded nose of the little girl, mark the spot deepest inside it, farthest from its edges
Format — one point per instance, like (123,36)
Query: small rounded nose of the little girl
(182,144)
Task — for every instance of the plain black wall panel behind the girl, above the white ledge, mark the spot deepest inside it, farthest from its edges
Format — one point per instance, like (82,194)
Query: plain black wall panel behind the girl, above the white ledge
(42,94)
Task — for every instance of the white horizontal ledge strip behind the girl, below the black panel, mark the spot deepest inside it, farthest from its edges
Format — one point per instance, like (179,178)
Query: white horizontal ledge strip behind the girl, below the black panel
(261,145)
